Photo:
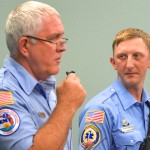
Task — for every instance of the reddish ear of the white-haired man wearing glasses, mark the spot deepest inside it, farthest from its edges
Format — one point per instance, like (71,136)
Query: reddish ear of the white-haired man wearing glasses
(23,45)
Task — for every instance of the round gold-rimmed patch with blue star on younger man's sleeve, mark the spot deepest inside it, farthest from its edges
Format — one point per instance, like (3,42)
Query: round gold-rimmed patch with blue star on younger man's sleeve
(90,132)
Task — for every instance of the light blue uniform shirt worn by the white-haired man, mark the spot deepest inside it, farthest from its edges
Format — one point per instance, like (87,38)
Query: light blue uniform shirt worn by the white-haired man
(30,109)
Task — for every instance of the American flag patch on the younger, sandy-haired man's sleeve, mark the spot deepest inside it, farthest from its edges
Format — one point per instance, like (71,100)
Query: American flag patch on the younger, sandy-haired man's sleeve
(95,116)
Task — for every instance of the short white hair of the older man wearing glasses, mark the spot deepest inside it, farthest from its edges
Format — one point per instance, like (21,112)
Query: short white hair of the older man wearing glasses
(26,19)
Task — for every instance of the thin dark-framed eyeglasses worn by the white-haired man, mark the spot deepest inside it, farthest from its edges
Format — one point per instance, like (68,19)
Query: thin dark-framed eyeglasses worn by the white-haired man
(64,40)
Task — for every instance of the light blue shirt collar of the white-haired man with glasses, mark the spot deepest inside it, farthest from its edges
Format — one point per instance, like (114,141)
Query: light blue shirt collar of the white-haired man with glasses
(24,78)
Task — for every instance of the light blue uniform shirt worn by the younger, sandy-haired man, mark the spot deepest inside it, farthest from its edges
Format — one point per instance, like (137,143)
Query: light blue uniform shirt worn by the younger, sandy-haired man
(114,120)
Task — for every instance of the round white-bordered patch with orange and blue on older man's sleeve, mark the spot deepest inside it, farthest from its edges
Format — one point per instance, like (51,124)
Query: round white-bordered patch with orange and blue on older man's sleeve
(9,122)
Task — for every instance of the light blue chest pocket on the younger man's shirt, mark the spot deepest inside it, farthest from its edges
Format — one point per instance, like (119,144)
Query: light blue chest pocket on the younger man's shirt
(127,140)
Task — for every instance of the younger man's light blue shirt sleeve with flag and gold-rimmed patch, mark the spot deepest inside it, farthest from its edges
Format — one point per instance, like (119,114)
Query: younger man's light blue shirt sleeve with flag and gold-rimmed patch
(94,123)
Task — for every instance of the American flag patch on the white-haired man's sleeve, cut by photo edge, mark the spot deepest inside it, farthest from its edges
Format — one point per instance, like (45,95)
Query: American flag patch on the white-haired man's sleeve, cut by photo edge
(6,98)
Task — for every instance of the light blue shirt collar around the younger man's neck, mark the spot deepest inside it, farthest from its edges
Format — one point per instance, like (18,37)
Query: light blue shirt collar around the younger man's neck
(126,99)
